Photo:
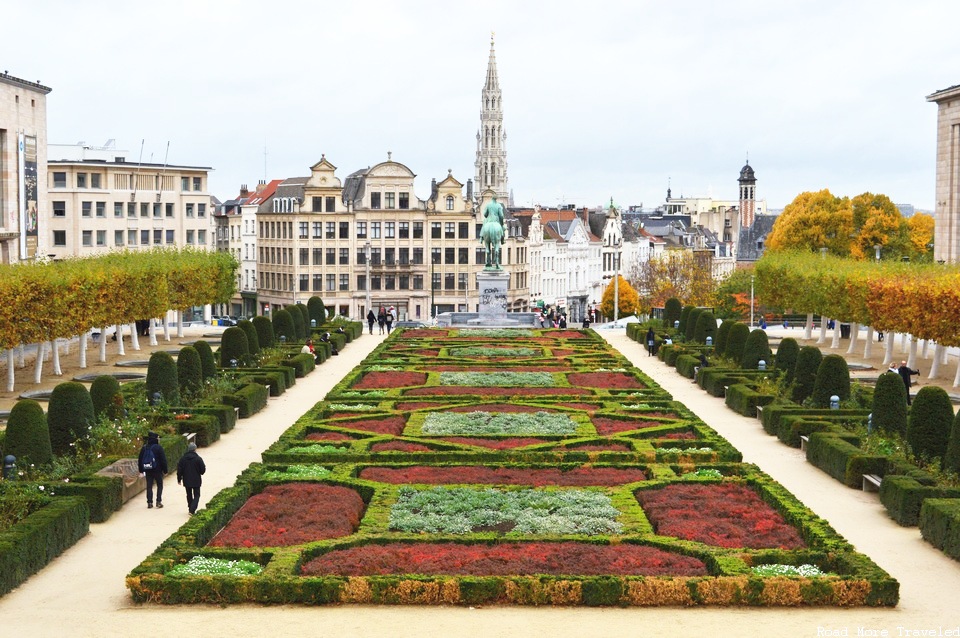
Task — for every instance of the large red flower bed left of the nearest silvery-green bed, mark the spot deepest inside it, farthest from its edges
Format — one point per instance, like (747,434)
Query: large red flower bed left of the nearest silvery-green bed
(292,514)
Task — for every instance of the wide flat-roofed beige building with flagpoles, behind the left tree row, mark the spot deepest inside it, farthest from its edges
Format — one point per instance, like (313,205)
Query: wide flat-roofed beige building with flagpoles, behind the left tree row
(100,199)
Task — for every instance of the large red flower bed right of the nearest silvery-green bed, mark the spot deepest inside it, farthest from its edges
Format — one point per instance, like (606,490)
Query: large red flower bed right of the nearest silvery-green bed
(723,515)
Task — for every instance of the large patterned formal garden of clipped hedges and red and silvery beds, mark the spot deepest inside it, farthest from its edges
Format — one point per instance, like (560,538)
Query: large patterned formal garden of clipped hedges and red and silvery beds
(518,466)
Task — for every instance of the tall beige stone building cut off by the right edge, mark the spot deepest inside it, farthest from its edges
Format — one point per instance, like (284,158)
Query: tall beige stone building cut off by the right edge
(947,210)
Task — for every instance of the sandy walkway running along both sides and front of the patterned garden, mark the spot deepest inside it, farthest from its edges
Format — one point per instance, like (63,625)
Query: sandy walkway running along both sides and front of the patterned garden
(82,592)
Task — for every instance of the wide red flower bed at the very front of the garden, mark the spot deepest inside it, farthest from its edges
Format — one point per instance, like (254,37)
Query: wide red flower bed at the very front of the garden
(504,559)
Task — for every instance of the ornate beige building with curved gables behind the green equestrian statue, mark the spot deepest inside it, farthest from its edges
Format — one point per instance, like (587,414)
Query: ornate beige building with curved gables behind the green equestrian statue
(368,242)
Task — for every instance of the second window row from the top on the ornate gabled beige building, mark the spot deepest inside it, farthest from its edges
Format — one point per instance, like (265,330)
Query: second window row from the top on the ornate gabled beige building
(377,230)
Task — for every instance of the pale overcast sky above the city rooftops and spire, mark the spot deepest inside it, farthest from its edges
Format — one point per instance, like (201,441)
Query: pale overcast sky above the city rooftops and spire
(601,99)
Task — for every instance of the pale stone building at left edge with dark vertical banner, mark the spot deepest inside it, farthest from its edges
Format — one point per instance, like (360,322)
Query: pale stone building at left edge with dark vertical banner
(23,168)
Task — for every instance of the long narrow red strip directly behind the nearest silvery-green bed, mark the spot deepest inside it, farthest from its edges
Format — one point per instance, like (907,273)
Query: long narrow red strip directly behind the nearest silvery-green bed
(478,474)
